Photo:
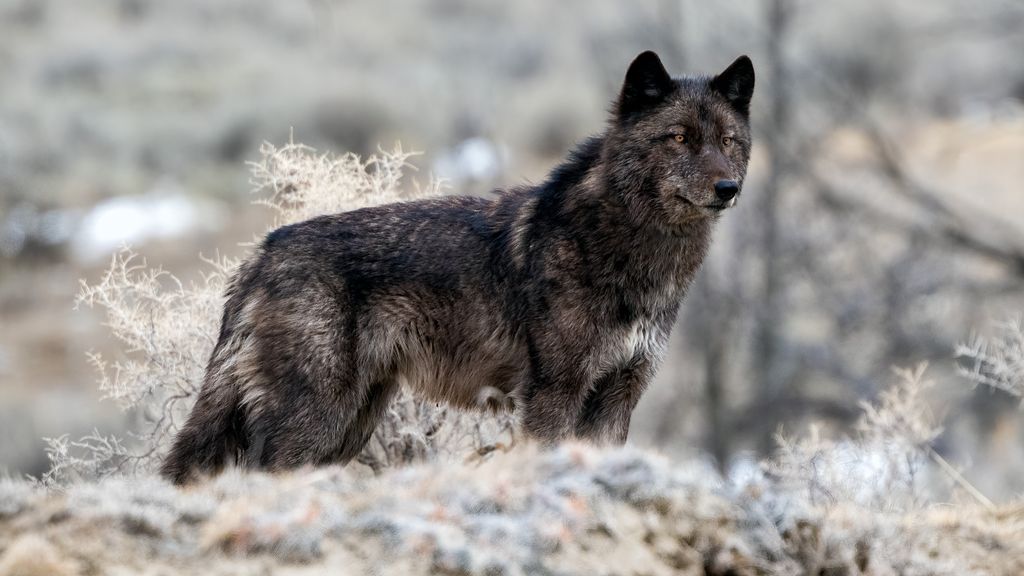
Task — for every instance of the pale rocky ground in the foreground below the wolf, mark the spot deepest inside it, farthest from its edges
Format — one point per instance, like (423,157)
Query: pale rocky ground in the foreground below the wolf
(573,511)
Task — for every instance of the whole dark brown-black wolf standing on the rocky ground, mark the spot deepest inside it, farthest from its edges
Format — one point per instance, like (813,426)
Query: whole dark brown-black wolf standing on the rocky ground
(561,296)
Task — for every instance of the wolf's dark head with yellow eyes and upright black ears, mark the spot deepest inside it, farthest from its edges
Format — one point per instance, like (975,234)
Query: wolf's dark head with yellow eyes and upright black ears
(677,149)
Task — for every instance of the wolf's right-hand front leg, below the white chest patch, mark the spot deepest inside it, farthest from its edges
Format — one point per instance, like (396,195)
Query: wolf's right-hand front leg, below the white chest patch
(606,415)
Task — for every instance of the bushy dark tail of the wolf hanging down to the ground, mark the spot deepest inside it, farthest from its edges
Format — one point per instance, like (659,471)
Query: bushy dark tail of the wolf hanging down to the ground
(214,432)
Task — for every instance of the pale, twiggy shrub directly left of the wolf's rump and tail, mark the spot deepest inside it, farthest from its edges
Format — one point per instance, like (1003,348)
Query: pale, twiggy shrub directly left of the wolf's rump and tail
(167,331)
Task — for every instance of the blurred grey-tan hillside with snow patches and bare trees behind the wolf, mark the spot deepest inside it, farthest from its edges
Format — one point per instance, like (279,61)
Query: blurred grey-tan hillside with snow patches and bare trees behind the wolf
(881,223)
